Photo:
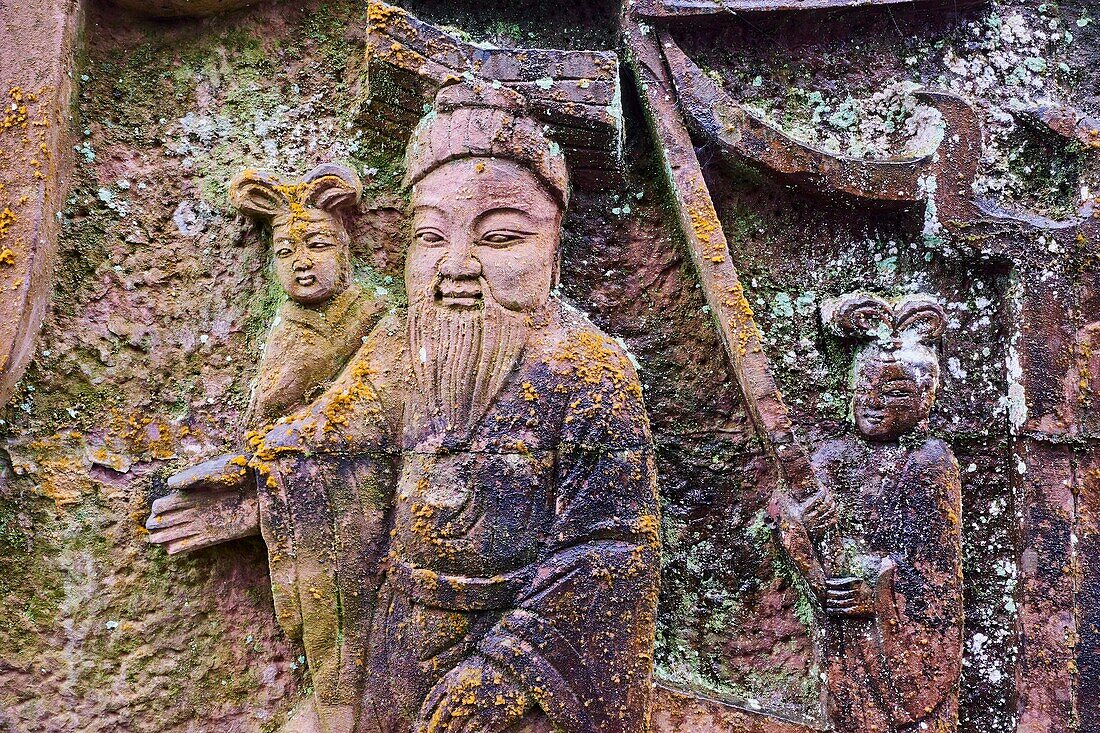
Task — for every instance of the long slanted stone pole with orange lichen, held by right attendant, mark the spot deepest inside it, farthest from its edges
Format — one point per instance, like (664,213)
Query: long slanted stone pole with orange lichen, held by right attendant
(722,288)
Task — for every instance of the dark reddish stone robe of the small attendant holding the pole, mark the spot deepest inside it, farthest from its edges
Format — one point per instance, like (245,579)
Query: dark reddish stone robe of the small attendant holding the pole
(899,671)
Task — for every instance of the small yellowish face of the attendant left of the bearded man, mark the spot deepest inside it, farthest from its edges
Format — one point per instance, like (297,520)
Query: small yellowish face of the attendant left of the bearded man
(311,250)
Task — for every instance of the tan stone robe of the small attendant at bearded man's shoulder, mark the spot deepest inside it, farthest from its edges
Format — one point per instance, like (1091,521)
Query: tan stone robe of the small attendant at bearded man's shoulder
(306,351)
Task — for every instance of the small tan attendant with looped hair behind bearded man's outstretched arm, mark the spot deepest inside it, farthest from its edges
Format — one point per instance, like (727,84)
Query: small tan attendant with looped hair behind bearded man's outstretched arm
(324,322)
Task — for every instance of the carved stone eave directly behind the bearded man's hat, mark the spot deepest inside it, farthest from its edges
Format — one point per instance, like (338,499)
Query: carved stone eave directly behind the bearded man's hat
(577,93)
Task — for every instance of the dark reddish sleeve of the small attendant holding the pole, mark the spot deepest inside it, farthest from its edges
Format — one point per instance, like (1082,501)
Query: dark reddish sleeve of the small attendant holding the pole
(919,609)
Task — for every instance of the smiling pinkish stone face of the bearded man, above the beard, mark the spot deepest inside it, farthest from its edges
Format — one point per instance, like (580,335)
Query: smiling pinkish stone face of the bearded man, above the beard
(483,228)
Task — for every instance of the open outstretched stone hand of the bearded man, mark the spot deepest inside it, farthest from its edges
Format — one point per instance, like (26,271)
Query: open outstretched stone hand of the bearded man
(213,504)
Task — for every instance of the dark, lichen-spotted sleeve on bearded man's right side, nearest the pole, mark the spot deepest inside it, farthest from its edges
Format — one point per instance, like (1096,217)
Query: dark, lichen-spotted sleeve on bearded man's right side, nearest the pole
(580,639)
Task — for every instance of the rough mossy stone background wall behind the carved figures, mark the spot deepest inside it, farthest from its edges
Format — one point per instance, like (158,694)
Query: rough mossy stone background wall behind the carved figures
(164,297)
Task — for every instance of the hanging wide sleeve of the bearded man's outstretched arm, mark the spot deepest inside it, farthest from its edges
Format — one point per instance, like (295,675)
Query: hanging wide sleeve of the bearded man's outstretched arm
(324,483)
